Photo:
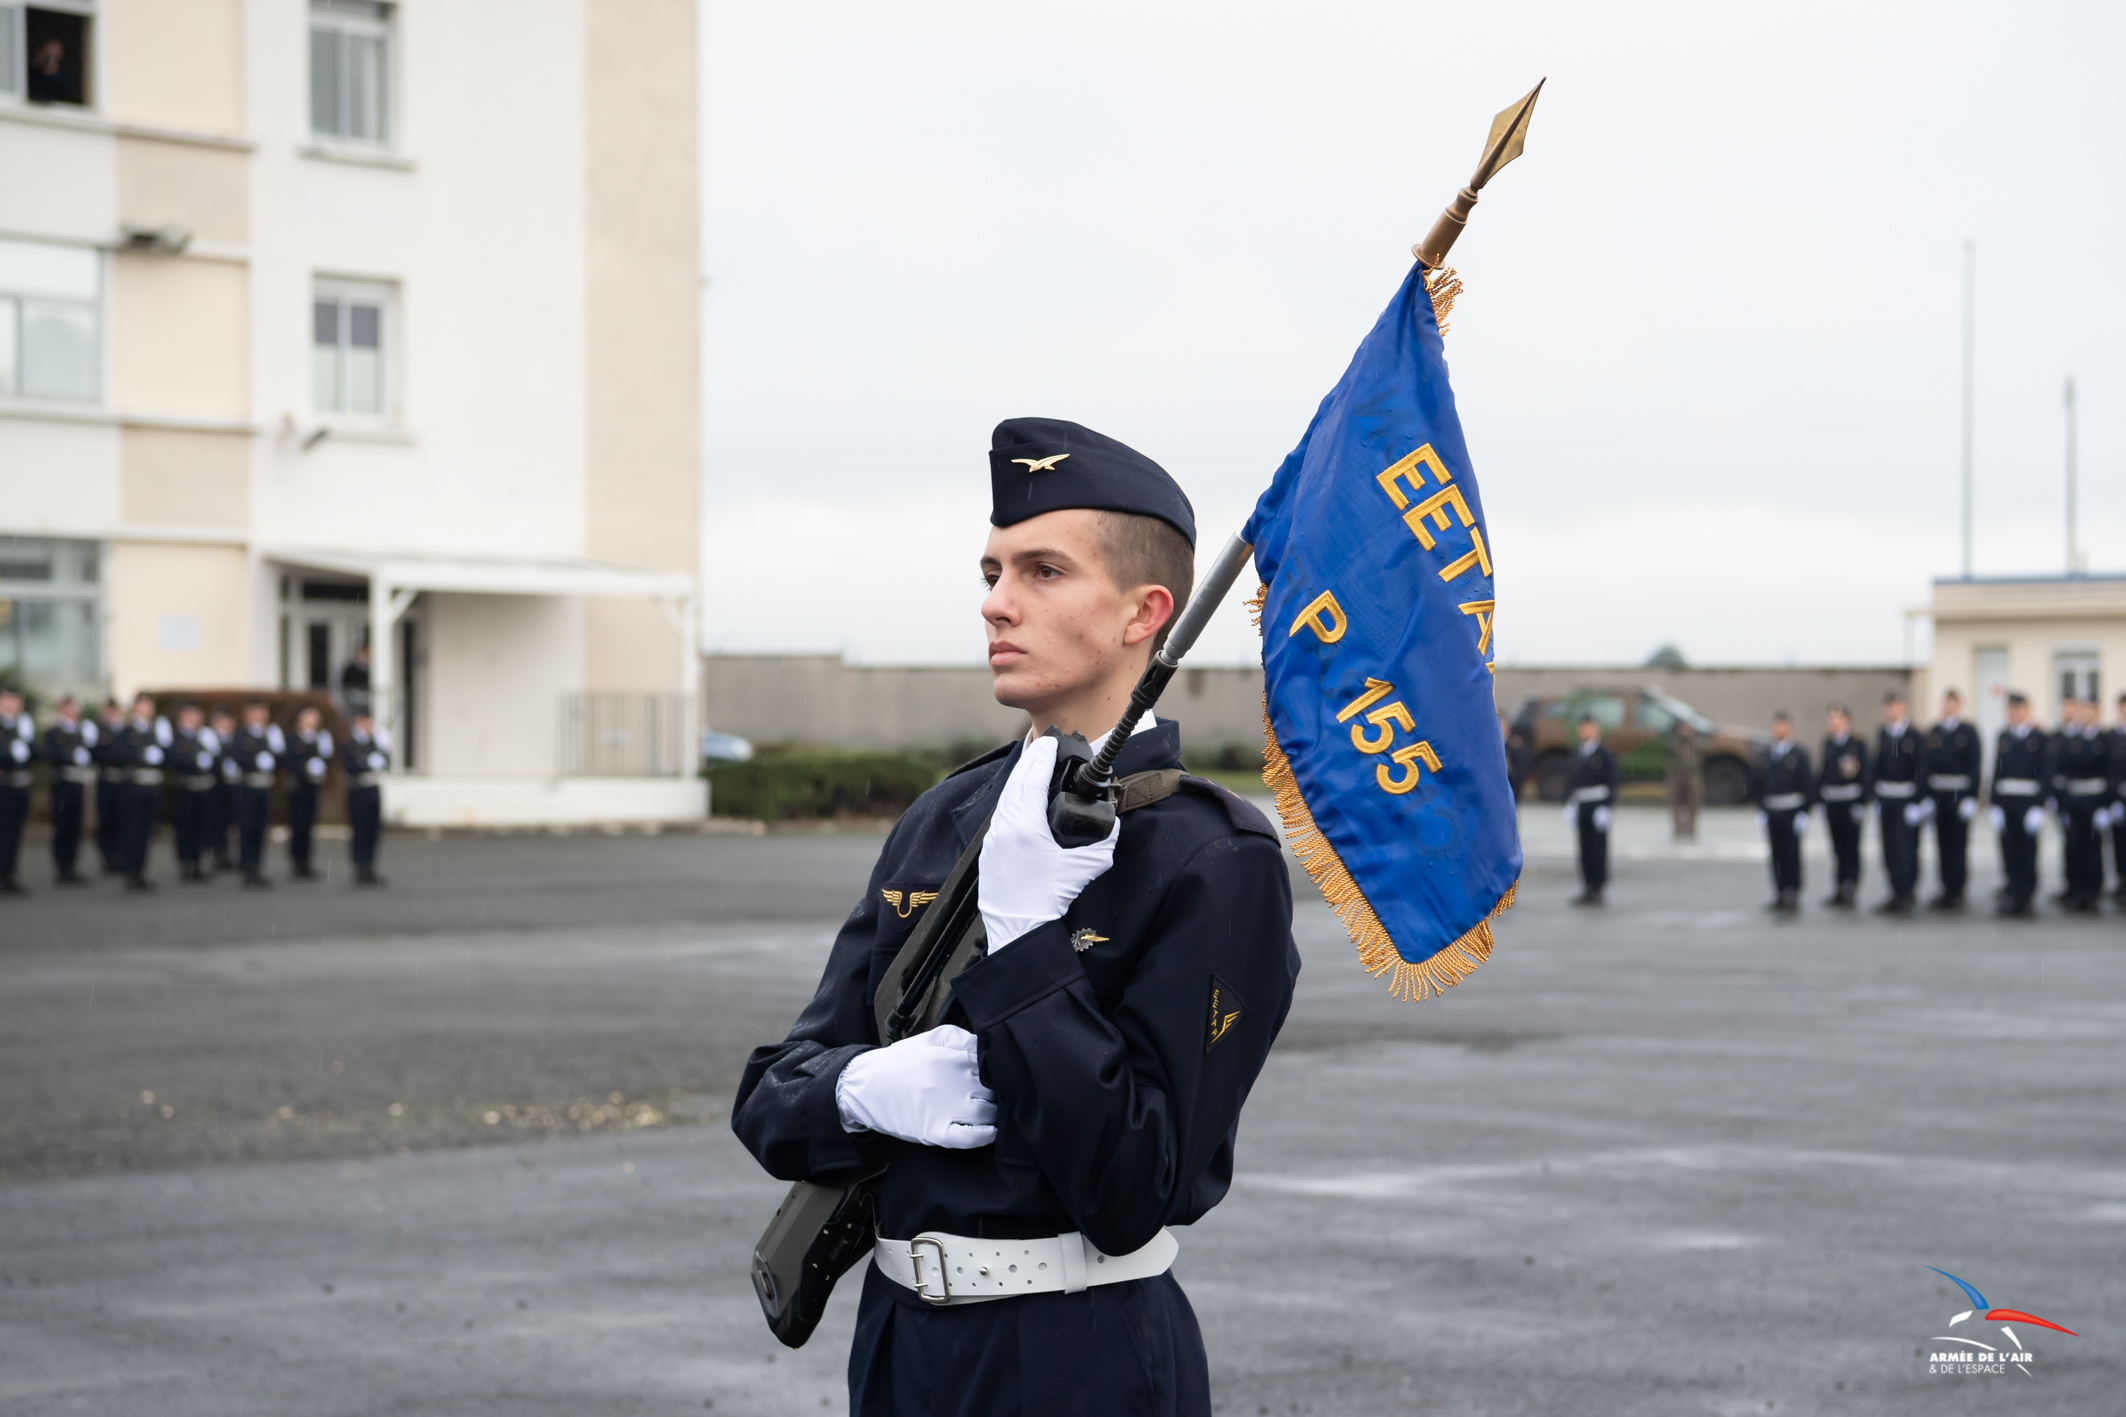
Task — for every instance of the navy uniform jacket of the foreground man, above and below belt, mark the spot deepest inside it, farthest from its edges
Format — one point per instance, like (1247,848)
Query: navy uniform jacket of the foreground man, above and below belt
(1117,1091)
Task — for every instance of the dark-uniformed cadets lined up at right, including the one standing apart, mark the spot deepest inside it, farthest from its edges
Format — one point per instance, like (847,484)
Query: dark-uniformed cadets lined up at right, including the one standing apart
(1917,783)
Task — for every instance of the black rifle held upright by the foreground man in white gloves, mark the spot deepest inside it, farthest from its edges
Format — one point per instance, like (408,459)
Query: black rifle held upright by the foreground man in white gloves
(824,1229)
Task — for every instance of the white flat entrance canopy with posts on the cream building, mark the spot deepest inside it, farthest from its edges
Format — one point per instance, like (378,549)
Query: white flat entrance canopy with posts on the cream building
(396,579)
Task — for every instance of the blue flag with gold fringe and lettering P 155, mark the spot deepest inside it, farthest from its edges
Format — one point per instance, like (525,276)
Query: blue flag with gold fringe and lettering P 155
(1377,619)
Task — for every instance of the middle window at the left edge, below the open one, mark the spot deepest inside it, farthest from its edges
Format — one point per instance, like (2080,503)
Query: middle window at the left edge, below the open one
(50,318)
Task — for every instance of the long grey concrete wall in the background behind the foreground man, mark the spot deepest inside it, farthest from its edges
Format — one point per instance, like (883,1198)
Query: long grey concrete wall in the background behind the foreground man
(817,698)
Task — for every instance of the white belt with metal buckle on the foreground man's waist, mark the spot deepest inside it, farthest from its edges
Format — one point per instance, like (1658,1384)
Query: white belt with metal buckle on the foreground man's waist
(958,1269)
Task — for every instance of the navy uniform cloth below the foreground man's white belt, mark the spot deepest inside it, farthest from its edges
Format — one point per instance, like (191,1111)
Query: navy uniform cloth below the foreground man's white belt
(1109,1352)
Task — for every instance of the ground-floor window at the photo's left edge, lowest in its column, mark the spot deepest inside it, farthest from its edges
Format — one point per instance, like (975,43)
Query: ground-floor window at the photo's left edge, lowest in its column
(50,615)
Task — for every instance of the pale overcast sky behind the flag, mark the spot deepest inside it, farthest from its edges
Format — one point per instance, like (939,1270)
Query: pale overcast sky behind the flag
(1708,358)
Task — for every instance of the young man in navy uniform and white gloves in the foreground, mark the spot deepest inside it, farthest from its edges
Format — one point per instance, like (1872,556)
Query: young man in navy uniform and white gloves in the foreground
(1085,1087)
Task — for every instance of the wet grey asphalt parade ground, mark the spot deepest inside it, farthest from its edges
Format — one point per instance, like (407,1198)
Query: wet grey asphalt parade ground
(1670,1157)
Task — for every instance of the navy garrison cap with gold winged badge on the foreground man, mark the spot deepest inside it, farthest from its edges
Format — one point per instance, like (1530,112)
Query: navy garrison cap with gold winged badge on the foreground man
(1049,466)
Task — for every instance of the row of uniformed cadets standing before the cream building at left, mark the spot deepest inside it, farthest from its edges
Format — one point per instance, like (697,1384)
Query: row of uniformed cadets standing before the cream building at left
(224,774)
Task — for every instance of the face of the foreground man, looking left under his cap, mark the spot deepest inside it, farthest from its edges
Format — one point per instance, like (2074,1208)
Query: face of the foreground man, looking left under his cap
(1058,626)
